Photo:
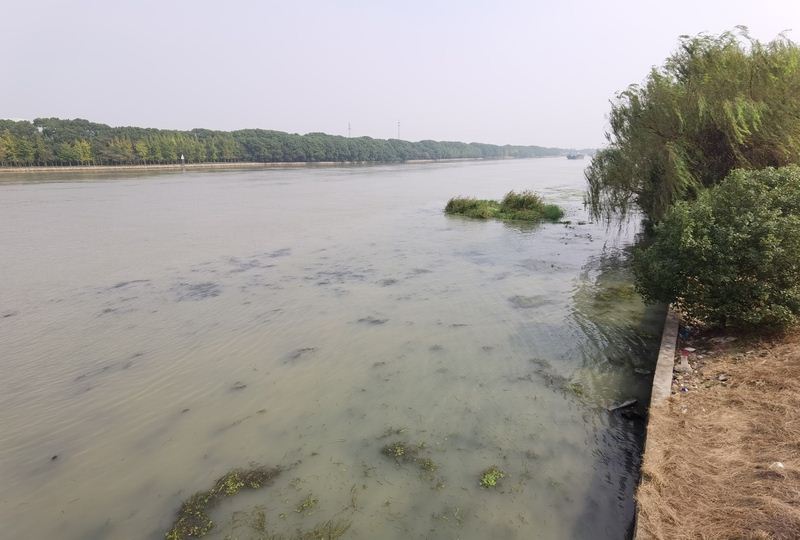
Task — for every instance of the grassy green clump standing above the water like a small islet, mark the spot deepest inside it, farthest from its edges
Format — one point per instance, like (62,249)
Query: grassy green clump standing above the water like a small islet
(523,206)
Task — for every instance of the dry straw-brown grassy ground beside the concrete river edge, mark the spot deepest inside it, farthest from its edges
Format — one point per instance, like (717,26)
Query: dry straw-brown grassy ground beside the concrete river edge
(723,454)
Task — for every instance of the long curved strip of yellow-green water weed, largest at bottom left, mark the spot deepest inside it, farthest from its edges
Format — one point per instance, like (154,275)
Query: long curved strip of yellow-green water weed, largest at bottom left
(193,520)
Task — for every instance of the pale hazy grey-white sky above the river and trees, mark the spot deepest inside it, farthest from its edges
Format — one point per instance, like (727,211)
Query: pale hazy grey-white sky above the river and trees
(501,72)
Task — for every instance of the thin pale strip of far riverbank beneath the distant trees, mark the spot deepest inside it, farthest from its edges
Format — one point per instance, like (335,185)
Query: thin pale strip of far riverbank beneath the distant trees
(218,166)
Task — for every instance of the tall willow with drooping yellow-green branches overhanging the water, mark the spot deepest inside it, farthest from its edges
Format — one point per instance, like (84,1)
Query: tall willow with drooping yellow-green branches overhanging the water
(718,103)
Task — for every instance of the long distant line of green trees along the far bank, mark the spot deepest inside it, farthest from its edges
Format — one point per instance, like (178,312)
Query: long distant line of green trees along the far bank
(52,141)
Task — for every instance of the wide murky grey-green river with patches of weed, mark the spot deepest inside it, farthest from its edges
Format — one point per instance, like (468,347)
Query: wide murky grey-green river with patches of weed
(159,330)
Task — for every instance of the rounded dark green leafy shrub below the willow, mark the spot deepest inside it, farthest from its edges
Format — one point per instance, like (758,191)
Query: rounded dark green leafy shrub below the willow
(732,256)
